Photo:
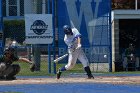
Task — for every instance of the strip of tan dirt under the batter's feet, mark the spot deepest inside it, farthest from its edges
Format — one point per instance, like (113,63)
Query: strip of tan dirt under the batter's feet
(98,79)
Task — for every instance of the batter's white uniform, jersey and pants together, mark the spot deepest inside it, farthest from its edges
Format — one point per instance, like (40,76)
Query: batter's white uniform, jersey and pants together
(74,53)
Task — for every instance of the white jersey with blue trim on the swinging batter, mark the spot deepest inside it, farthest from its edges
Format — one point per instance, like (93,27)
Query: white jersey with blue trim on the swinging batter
(71,40)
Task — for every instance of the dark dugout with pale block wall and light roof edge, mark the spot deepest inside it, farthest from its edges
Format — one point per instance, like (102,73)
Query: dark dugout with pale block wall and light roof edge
(125,30)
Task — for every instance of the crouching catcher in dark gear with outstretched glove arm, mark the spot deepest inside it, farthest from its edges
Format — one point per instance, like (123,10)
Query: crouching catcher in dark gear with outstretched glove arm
(8,70)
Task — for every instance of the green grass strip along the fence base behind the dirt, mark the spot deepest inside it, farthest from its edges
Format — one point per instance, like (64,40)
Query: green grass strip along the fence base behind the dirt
(25,71)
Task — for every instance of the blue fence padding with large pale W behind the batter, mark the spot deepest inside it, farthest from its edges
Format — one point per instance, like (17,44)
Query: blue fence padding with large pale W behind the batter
(87,15)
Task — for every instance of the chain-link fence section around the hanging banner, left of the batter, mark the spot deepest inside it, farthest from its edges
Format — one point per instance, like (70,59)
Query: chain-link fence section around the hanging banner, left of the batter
(14,12)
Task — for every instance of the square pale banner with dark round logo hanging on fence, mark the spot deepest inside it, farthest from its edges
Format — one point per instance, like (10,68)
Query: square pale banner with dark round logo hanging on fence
(38,29)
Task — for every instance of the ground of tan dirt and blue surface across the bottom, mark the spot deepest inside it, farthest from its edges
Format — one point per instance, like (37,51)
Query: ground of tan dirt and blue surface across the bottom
(74,83)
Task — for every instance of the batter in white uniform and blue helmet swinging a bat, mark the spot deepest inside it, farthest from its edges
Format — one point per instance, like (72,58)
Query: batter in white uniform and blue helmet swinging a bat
(72,39)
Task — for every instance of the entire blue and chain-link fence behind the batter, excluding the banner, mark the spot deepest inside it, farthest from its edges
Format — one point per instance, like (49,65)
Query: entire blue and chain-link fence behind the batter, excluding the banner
(90,17)
